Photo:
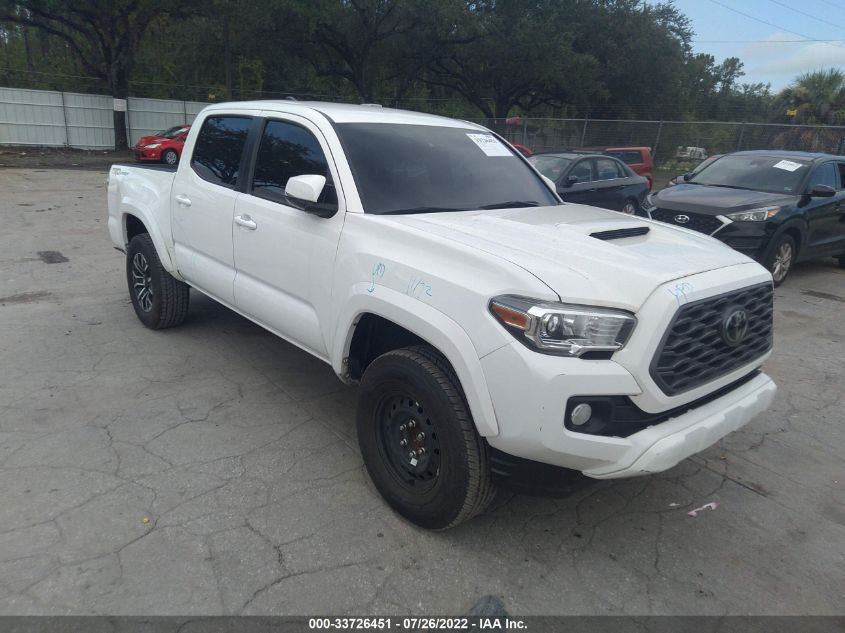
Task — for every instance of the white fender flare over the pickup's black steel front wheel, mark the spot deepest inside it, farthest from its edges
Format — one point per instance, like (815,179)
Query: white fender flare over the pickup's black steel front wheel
(432,326)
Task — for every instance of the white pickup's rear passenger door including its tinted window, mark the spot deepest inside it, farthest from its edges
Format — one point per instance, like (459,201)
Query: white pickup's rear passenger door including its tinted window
(202,203)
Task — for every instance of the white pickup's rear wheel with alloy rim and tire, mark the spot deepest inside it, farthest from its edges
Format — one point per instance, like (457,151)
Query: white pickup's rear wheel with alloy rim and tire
(160,300)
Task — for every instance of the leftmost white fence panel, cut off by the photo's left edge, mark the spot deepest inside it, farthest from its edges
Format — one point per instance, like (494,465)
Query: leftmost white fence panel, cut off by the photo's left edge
(31,117)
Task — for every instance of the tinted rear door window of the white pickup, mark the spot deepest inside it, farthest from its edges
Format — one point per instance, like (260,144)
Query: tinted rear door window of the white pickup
(219,148)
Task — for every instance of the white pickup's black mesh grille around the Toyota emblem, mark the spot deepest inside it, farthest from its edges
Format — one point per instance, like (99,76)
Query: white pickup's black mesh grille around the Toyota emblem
(694,350)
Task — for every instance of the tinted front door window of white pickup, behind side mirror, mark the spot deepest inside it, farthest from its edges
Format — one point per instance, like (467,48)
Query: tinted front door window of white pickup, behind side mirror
(287,150)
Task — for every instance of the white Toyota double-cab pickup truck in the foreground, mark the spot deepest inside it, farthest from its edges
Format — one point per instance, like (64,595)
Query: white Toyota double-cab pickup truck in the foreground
(499,336)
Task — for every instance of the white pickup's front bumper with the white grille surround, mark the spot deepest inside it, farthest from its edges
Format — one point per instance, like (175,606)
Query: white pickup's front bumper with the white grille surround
(530,393)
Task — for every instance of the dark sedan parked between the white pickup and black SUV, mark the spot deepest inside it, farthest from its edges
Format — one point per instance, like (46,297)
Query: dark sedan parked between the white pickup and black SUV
(593,179)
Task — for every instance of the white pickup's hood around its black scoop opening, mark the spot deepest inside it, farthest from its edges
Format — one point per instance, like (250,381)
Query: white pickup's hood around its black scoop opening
(555,245)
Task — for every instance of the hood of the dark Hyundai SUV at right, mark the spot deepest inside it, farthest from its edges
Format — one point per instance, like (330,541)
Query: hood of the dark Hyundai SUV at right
(715,200)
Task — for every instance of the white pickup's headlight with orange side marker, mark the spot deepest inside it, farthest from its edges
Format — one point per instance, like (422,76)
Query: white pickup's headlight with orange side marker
(559,328)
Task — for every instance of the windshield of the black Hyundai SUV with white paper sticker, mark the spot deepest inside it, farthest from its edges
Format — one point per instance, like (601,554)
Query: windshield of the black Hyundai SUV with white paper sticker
(758,173)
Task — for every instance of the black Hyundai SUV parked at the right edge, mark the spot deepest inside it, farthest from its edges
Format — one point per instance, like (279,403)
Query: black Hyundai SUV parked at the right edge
(777,207)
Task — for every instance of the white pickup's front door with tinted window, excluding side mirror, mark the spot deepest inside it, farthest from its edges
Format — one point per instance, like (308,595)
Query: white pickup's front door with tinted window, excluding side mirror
(284,256)
